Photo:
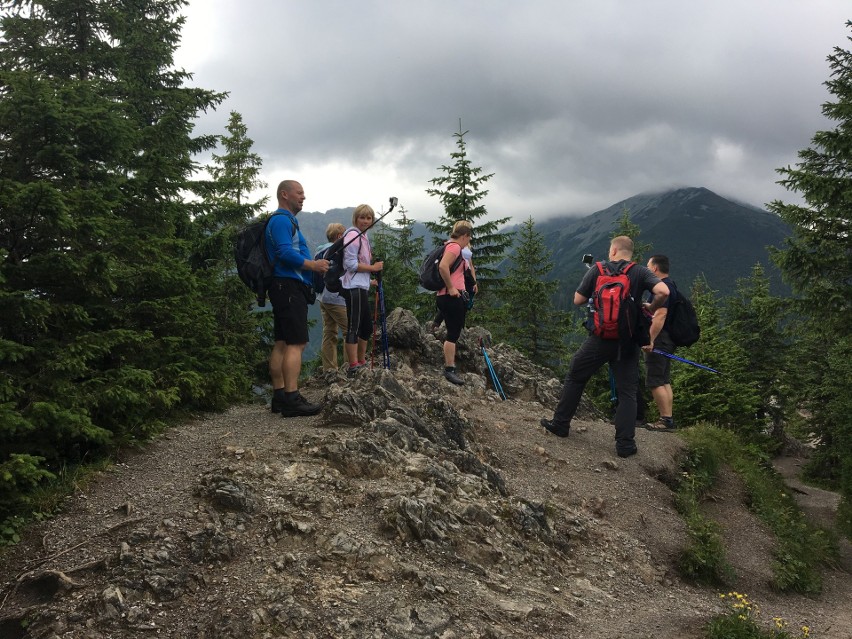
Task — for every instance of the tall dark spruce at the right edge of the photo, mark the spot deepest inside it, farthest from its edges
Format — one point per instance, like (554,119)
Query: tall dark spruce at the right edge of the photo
(817,262)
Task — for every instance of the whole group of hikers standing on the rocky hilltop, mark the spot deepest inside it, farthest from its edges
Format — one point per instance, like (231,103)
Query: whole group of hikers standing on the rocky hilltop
(343,270)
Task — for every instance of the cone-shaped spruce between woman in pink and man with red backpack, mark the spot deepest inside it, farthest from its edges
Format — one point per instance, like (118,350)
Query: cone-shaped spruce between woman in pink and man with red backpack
(528,318)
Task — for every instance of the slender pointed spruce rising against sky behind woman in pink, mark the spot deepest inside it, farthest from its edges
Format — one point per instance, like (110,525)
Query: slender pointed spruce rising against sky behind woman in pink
(460,191)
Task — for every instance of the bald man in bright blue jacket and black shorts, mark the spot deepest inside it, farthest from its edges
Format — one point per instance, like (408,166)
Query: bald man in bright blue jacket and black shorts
(289,293)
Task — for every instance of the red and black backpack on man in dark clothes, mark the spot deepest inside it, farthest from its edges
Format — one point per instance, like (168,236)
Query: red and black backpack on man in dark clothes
(613,310)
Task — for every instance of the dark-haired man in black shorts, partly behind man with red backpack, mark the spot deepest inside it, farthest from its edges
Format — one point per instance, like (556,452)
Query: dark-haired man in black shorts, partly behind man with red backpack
(658,367)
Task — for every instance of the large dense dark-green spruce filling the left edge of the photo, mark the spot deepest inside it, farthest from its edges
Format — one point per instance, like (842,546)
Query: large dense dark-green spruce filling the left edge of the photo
(102,333)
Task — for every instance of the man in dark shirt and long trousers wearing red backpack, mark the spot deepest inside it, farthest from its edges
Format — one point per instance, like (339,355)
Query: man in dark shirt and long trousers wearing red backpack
(623,357)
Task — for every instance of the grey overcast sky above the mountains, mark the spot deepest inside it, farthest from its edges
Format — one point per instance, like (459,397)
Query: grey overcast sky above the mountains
(573,105)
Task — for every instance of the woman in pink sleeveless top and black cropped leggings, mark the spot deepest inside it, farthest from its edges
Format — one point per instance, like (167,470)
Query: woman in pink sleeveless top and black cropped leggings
(452,299)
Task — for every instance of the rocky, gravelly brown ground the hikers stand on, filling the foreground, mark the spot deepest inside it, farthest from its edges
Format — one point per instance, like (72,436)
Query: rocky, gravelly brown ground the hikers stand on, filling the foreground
(408,508)
